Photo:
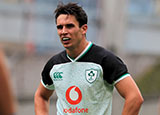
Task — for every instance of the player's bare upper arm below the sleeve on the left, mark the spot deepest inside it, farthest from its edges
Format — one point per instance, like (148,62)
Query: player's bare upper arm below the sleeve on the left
(43,92)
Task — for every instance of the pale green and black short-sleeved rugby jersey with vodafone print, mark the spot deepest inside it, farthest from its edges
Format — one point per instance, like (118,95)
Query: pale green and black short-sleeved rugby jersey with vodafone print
(84,85)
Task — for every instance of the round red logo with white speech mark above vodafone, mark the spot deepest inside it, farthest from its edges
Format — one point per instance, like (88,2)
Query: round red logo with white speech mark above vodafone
(73,95)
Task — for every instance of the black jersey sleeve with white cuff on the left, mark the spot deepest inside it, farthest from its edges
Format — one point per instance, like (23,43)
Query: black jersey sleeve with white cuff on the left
(46,79)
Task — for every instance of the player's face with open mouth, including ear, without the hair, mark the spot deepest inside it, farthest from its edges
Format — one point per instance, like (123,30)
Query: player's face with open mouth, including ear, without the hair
(69,31)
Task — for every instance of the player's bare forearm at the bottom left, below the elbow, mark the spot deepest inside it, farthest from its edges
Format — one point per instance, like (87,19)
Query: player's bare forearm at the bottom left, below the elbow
(41,106)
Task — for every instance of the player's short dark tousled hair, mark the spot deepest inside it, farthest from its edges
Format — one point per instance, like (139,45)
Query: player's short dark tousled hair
(72,9)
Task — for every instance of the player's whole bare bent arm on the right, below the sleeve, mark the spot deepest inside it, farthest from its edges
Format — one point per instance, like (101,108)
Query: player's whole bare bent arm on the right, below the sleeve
(130,92)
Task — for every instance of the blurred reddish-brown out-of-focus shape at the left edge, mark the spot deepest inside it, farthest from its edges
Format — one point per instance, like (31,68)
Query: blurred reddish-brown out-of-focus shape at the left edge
(7,102)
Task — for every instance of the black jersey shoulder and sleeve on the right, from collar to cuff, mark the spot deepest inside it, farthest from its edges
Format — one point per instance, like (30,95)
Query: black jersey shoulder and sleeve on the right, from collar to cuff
(113,67)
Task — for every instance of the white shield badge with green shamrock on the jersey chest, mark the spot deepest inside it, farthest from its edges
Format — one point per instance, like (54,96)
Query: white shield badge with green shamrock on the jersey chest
(91,75)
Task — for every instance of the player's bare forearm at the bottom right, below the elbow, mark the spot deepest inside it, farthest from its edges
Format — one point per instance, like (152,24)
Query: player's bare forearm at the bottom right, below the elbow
(132,106)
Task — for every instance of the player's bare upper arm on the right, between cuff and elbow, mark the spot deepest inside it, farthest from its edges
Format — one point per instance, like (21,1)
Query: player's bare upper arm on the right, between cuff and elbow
(128,88)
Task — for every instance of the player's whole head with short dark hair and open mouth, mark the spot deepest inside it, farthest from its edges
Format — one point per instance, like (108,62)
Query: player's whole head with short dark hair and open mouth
(71,21)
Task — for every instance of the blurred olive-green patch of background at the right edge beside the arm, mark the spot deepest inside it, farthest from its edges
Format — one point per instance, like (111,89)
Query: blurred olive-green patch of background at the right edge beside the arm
(149,82)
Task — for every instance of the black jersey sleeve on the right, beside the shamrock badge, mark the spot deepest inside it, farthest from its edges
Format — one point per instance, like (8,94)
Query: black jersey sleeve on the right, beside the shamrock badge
(114,68)
